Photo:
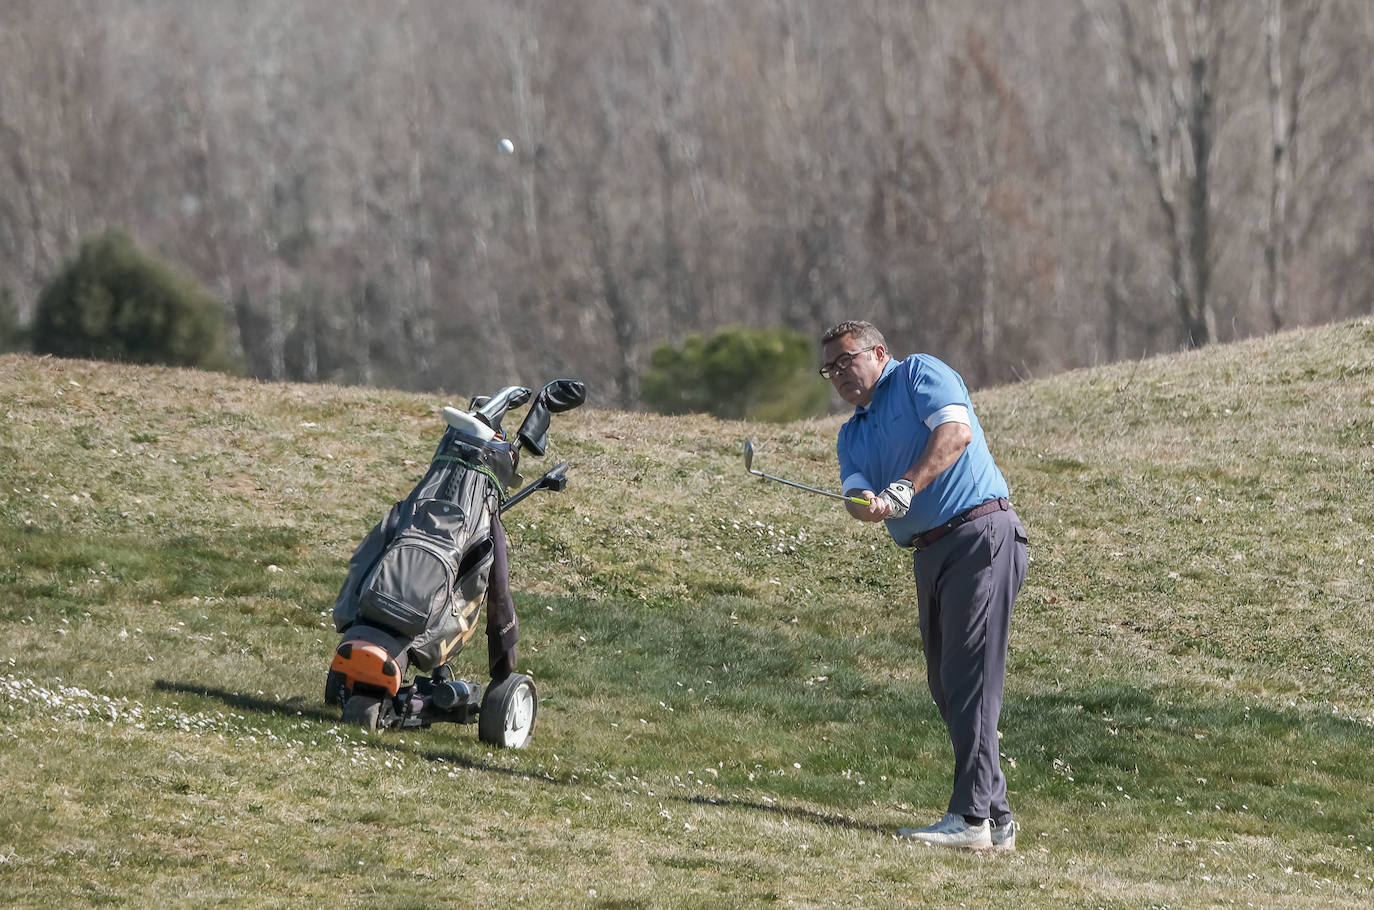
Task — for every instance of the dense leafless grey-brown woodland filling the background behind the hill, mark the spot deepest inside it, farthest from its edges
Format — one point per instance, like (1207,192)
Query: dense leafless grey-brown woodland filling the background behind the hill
(961,174)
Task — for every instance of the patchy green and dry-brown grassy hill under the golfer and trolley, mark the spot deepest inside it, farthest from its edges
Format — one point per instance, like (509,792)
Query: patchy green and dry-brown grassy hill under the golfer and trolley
(733,700)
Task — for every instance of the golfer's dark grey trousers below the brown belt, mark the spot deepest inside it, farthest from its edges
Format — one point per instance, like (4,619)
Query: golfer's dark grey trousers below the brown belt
(967,584)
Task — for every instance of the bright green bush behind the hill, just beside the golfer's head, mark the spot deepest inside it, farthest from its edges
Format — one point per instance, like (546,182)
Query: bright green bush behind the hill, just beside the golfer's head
(737,375)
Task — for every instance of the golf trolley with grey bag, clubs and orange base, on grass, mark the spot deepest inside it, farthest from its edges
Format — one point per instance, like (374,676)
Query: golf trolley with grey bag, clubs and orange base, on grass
(417,584)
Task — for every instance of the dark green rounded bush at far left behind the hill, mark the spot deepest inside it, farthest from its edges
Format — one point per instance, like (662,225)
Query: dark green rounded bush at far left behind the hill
(116,303)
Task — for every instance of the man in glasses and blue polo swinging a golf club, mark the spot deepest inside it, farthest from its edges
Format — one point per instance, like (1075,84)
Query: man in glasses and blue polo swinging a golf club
(914,438)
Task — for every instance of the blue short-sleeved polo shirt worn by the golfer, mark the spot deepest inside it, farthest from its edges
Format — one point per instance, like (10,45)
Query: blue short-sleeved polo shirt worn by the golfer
(883,441)
